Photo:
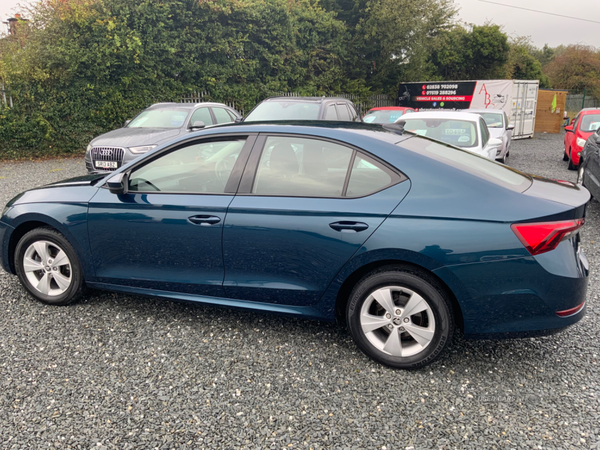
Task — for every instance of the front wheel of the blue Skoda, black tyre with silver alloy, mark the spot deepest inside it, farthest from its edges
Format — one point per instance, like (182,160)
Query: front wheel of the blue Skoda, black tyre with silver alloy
(48,267)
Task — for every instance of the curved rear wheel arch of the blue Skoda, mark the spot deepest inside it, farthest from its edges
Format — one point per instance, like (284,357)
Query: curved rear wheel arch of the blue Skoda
(343,294)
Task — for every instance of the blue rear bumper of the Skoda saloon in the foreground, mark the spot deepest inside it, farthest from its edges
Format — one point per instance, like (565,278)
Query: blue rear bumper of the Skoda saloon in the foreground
(525,294)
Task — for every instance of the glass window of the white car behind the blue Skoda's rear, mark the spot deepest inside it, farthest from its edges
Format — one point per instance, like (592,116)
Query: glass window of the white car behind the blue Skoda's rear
(461,133)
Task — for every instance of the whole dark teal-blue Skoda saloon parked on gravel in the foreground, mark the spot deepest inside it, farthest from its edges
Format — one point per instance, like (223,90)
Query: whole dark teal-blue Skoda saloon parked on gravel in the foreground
(403,238)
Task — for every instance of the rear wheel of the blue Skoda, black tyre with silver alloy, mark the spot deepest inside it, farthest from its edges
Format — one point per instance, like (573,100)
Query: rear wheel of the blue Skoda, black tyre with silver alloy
(400,318)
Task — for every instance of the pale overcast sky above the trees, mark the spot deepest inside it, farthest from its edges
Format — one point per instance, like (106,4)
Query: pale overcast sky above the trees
(543,28)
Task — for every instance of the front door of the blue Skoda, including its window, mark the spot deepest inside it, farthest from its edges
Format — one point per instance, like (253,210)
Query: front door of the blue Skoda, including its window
(165,232)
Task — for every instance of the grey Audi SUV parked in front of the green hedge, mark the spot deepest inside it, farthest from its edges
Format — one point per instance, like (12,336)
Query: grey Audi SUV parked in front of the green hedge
(155,125)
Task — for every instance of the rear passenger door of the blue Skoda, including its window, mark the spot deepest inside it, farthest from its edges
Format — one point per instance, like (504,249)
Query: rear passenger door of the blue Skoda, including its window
(304,207)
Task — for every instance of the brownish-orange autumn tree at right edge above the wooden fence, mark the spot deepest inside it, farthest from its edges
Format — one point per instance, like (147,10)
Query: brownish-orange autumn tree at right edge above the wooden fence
(576,68)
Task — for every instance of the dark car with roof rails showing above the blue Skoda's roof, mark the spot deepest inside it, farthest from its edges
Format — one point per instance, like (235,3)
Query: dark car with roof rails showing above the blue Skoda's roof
(304,108)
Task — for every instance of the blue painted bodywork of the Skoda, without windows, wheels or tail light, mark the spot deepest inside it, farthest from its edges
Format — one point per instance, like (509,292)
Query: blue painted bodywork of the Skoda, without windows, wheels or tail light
(439,219)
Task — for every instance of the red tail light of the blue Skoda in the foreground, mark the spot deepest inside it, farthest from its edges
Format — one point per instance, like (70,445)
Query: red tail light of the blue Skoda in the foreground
(544,236)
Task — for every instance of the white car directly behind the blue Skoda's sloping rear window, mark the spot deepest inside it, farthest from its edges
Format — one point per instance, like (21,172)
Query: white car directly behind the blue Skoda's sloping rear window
(464,130)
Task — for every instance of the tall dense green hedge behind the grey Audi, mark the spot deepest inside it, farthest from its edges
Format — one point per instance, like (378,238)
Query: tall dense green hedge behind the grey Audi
(85,66)
